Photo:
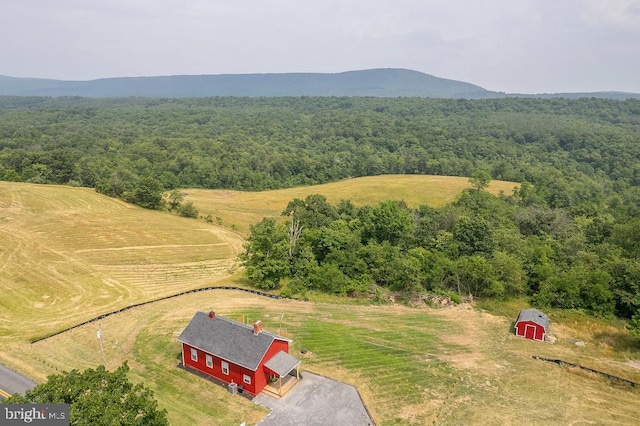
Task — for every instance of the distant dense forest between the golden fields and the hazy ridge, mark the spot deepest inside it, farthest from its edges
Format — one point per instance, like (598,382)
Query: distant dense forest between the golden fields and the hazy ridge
(576,149)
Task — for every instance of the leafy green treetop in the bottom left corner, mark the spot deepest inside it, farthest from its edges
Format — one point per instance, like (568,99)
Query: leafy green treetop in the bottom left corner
(97,397)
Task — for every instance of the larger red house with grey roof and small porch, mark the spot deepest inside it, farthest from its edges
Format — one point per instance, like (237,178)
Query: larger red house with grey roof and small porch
(237,353)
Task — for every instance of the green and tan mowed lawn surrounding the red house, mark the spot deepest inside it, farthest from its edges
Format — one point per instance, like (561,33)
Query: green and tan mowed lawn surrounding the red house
(455,365)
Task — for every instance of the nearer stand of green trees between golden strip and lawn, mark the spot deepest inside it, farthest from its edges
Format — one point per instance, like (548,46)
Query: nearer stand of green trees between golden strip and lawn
(480,245)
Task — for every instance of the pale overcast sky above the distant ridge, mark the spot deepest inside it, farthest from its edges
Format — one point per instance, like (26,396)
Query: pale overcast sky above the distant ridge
(526,46)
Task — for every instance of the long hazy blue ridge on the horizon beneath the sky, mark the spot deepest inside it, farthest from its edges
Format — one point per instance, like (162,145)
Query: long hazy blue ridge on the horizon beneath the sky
(386,82)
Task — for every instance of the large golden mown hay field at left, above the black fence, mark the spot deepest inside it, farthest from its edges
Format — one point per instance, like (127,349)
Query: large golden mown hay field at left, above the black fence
(70,254)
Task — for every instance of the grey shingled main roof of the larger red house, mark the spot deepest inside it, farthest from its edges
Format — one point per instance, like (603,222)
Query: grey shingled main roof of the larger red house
(227,339)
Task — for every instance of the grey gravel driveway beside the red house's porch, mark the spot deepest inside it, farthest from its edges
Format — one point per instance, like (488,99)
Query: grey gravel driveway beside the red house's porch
(315,400)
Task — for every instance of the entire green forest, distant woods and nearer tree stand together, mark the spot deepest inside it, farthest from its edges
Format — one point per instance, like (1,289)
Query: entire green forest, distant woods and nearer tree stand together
(569,237)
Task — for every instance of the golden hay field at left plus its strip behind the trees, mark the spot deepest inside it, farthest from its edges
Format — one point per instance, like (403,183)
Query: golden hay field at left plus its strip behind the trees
(68,254)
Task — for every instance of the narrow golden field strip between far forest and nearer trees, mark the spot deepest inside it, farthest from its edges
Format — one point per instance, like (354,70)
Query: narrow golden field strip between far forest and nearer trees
(240,209)
